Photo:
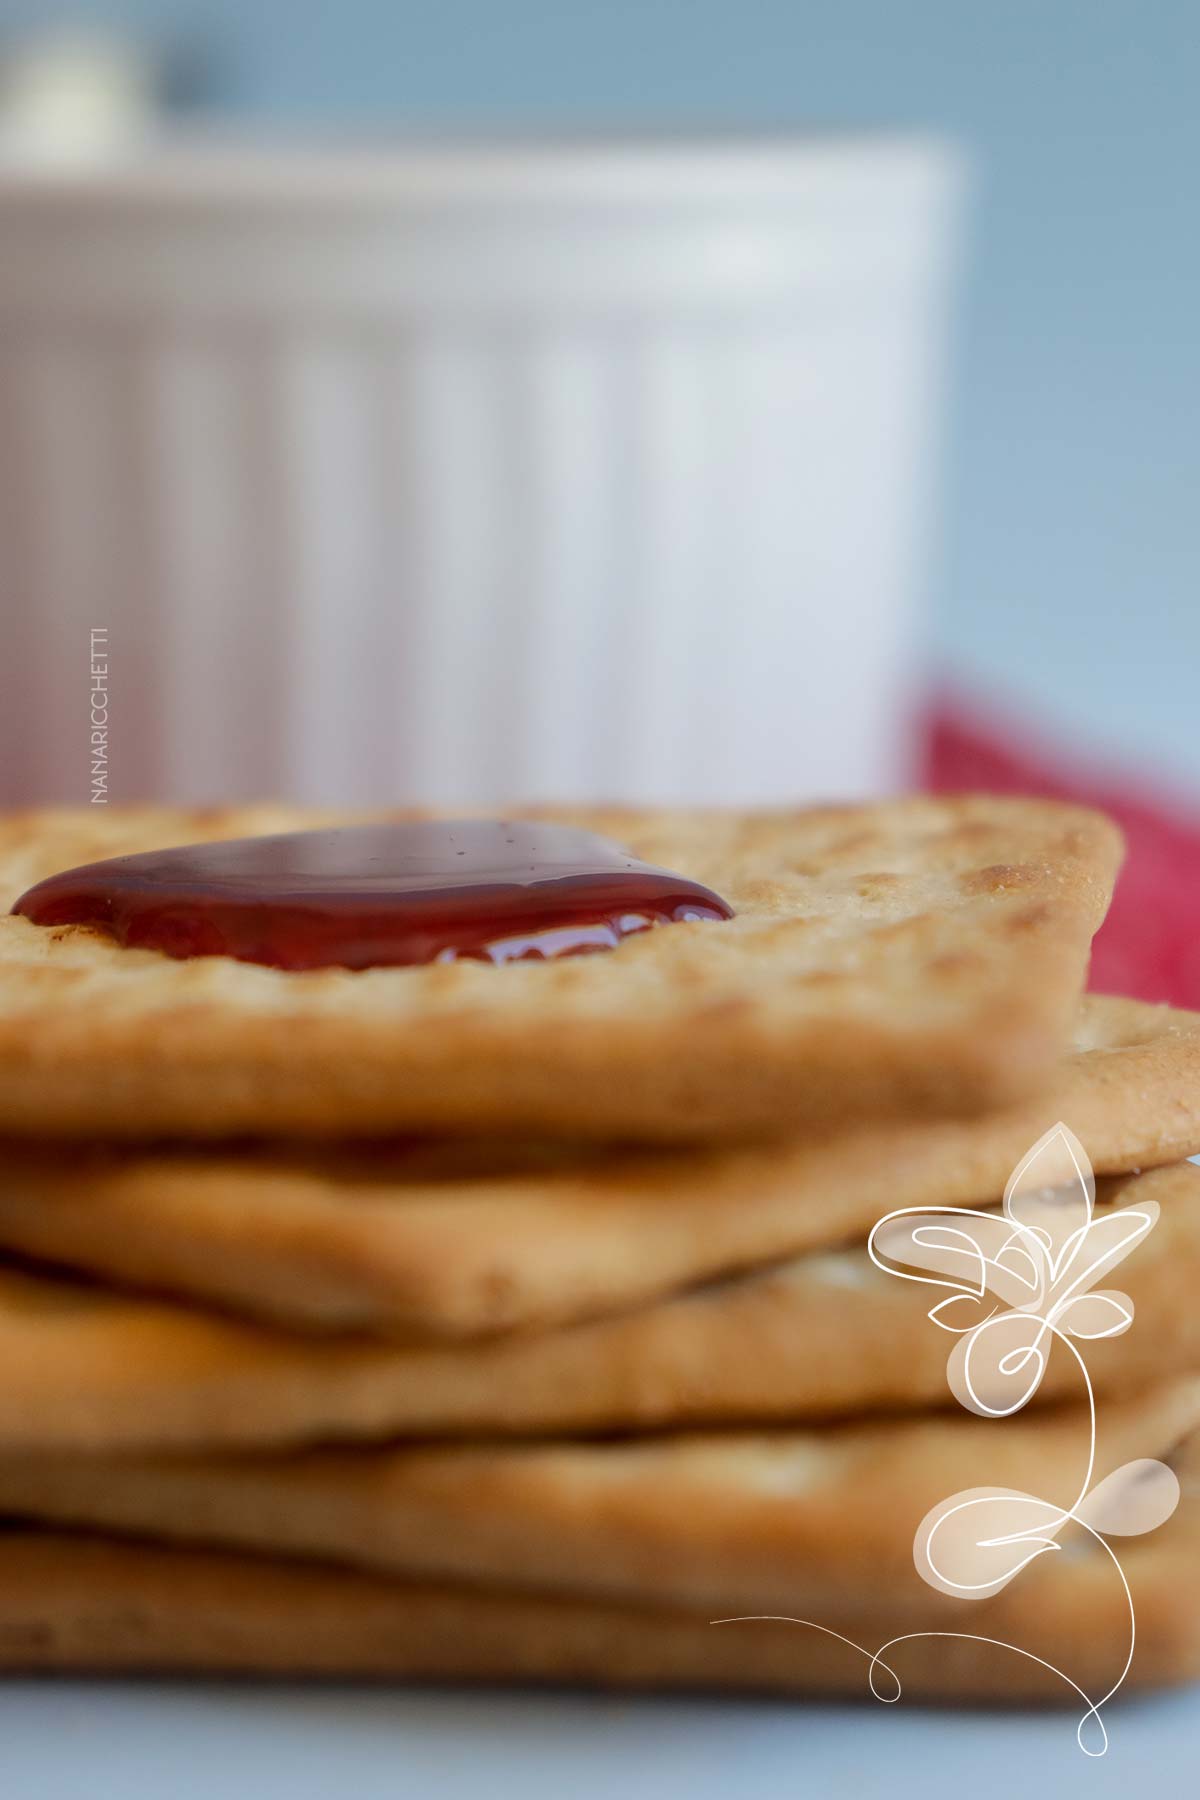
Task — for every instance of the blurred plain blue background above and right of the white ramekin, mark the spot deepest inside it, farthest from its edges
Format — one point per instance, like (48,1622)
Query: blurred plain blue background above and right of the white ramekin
(1070,570)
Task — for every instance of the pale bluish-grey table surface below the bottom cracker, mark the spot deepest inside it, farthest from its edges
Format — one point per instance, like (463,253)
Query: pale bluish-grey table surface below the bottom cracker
(156,1741)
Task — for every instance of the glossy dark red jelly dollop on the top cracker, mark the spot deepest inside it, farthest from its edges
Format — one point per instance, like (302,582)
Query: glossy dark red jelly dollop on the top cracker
(373,895)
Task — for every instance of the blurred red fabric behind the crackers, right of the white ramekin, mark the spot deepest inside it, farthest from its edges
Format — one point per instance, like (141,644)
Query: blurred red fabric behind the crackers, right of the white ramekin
(1149,946)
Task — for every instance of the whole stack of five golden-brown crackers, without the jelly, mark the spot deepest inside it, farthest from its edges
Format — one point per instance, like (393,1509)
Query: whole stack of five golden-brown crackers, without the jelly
(519,1324)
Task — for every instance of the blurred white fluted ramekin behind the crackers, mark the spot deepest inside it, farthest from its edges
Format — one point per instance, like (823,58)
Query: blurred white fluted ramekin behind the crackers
(470,474)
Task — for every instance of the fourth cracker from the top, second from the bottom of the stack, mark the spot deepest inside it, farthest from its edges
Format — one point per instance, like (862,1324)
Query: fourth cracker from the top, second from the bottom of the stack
(800,1522)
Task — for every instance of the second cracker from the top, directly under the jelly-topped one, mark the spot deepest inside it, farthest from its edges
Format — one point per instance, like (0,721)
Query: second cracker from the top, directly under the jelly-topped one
(454,1241)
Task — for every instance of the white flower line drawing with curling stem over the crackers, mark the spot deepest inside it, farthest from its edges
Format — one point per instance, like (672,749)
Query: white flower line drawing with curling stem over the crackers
(1041,1257)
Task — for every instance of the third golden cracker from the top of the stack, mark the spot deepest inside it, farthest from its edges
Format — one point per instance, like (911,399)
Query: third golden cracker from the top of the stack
(85,1369)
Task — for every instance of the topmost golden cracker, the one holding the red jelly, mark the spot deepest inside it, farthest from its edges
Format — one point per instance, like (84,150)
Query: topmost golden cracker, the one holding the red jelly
(911,957)
